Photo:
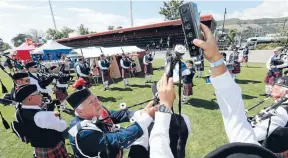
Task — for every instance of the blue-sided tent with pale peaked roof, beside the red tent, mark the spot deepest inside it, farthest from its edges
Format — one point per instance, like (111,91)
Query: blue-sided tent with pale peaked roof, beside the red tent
(53,50)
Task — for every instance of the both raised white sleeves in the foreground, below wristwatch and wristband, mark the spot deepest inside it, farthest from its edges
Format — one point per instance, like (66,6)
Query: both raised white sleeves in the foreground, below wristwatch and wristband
(229,98)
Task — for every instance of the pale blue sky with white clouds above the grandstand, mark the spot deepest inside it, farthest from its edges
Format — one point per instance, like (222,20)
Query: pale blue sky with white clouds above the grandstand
(22,15)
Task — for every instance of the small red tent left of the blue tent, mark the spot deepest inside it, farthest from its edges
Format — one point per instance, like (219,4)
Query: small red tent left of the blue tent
(23,51)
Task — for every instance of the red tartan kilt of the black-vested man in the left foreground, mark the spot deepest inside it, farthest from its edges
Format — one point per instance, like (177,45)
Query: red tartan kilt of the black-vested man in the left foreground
(59,151)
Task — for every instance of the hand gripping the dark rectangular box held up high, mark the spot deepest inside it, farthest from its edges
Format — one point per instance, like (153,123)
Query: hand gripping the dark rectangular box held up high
(209,45)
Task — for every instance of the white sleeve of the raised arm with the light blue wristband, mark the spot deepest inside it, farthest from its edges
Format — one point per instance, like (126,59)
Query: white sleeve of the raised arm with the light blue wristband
(230,101)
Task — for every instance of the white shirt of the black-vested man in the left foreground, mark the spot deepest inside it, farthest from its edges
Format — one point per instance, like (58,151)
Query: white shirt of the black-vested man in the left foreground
(47,119)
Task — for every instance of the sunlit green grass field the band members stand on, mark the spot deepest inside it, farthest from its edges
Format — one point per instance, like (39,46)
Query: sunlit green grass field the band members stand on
(206,121)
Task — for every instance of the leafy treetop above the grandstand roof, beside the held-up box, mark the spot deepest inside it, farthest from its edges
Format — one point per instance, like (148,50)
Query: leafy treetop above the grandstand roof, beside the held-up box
(171,9)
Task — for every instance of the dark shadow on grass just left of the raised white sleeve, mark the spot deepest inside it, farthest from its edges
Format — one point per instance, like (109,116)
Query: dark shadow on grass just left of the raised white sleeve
(206,104)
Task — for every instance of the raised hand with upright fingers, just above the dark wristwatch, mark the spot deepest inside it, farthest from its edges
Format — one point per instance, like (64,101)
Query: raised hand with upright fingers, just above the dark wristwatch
(166,91)
